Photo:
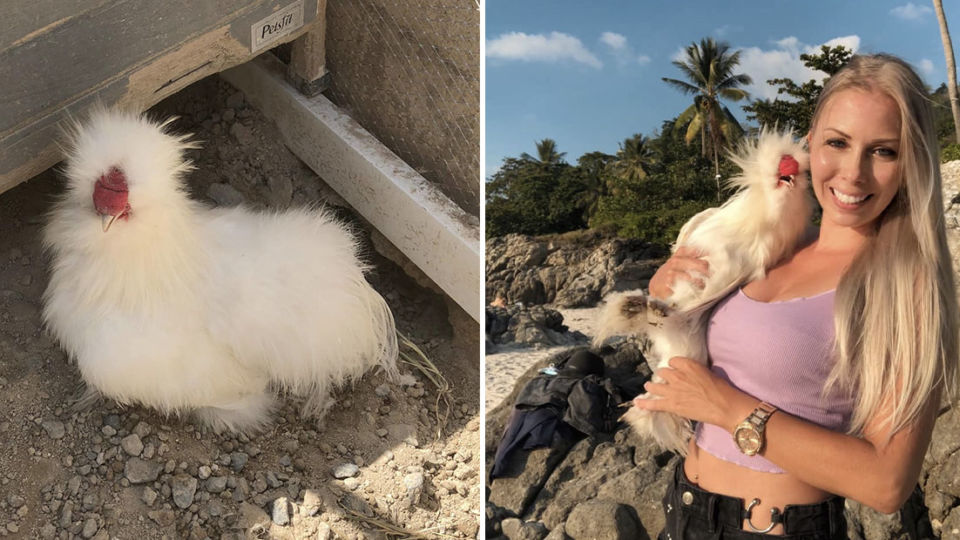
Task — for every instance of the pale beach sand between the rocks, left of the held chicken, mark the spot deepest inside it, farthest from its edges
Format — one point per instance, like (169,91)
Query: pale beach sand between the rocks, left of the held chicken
(506,365)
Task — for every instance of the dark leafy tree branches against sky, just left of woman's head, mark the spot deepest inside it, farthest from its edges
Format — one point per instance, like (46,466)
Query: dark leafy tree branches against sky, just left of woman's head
(796,111)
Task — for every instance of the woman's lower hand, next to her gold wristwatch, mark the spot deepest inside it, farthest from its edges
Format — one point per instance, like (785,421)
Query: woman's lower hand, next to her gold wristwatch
(692,391)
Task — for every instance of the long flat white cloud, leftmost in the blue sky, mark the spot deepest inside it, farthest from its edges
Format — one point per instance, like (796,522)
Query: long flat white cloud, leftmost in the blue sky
(555,47)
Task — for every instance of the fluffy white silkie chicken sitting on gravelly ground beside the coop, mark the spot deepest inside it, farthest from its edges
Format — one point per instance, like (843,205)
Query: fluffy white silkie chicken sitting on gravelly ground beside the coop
(191,310)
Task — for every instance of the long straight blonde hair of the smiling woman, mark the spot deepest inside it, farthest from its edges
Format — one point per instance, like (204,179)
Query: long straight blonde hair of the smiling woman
(896,305)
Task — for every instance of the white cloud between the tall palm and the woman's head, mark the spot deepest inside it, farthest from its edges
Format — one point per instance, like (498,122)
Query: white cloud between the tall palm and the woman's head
(783,61)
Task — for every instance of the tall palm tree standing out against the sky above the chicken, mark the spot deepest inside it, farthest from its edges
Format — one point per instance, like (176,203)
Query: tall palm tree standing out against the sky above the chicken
(708,68)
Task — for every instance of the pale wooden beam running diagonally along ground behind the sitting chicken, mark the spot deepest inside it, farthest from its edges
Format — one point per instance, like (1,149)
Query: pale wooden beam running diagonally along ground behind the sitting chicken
(429,228)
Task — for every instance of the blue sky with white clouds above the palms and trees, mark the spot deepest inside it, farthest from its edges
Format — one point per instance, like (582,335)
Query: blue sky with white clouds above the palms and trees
(587,74)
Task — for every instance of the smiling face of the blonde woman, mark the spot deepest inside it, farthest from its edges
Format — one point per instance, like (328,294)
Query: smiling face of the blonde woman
(854,157)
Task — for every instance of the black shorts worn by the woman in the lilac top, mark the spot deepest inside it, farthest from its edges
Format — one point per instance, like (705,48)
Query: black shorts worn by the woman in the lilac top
(694,514)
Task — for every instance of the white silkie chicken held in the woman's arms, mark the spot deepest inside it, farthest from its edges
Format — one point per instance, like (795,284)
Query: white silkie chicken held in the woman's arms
(758,226)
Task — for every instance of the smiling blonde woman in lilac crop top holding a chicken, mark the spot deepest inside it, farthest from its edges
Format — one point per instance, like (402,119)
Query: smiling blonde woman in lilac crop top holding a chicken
(826,375)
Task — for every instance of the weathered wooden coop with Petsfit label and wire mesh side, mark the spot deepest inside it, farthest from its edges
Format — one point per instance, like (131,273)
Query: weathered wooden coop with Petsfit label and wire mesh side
(406,157)
